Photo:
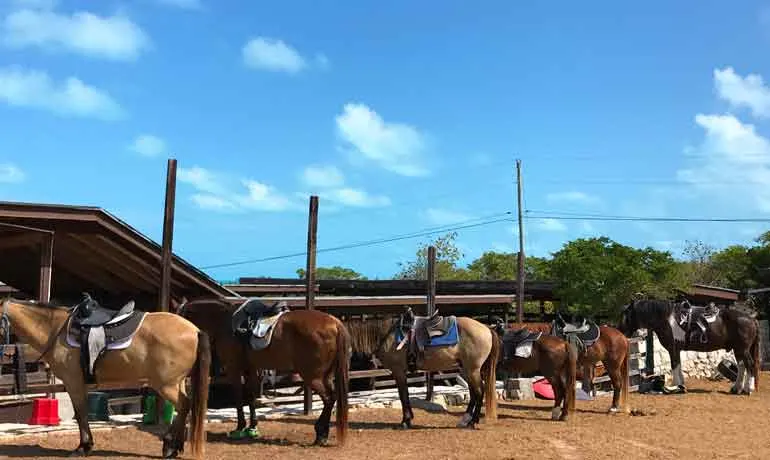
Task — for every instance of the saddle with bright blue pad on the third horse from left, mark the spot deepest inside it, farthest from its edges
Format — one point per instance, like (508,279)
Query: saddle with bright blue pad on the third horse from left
(419,332)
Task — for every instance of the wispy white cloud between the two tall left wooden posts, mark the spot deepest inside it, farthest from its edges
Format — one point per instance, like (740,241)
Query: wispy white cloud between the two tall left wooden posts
(214,192)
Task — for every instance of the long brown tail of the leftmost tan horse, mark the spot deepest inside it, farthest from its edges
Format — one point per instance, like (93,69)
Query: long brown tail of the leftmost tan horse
(200,395)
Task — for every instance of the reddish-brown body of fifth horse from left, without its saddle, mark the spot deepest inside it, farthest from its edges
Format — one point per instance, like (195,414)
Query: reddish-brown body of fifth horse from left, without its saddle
(612,349)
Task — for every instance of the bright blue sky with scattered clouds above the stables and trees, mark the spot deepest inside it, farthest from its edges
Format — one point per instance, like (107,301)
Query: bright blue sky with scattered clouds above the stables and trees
(401,115)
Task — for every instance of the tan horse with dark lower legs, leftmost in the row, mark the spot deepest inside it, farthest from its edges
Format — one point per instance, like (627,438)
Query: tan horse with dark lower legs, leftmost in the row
(164,350)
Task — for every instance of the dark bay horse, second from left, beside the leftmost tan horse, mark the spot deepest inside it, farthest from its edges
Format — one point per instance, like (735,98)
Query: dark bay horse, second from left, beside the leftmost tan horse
(312,343)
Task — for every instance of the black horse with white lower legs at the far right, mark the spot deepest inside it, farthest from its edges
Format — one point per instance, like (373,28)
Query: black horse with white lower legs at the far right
(680,326)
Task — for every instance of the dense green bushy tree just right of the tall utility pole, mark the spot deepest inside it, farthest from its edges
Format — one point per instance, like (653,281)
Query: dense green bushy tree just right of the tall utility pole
(598,275)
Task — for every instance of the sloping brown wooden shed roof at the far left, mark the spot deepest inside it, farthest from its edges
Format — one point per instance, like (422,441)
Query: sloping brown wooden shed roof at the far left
(94,252)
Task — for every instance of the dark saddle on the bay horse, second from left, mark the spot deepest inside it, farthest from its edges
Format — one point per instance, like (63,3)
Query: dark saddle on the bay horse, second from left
(254,322)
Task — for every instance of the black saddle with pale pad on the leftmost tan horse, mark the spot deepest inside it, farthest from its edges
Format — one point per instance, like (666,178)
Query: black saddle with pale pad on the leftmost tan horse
(95,329)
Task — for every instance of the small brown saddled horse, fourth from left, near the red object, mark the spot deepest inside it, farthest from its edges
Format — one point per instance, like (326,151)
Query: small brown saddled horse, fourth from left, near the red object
(550,355)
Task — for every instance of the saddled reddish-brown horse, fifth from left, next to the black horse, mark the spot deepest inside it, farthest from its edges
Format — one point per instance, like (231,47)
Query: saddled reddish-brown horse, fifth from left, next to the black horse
(611,347)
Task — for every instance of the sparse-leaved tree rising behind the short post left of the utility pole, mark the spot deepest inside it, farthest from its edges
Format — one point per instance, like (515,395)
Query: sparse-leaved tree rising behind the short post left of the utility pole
(447,257)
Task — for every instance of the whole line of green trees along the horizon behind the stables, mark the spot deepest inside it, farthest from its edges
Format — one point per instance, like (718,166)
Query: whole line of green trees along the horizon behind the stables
(595,276)
